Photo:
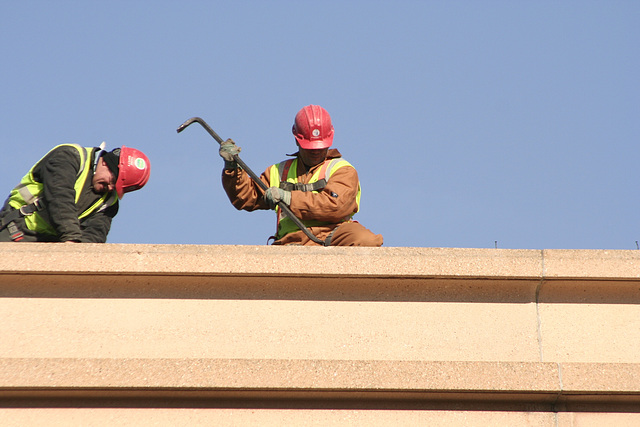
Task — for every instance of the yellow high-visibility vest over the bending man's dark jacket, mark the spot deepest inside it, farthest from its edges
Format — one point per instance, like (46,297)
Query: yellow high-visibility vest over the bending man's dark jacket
(29,190)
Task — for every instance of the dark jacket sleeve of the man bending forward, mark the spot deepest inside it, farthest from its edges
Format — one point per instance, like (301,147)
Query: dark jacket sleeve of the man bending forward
(57,173)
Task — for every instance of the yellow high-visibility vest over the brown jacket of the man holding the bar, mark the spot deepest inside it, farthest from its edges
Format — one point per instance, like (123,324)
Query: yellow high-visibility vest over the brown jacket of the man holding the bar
(285,176)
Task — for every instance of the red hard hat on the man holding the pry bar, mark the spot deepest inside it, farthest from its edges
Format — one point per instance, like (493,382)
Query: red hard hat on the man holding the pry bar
(312,128)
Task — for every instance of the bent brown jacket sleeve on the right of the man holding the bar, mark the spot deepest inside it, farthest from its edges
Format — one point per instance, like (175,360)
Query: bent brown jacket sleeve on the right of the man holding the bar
(336,201)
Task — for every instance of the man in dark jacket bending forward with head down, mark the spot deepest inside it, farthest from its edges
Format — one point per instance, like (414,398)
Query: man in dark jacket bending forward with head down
(71,194)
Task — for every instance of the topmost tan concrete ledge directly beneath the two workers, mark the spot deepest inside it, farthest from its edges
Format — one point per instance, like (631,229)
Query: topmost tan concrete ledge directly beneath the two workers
(318,261)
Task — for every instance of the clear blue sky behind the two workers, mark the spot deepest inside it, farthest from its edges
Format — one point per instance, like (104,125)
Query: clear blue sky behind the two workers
(469,122)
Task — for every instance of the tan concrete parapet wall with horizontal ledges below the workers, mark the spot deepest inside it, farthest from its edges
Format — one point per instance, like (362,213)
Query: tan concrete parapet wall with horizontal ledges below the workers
(534,337)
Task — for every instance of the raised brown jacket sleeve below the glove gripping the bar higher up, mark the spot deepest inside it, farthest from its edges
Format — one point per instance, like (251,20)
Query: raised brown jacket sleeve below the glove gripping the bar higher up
(242,191)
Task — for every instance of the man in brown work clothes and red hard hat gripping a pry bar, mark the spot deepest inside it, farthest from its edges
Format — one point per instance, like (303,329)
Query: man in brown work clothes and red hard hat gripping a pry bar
(318,185)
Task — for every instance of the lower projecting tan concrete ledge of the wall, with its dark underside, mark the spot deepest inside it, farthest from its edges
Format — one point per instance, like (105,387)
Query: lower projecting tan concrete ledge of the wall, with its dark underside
(287,383)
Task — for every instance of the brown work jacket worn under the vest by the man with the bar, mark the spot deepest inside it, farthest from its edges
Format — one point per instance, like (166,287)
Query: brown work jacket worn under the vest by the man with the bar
(332,204)
